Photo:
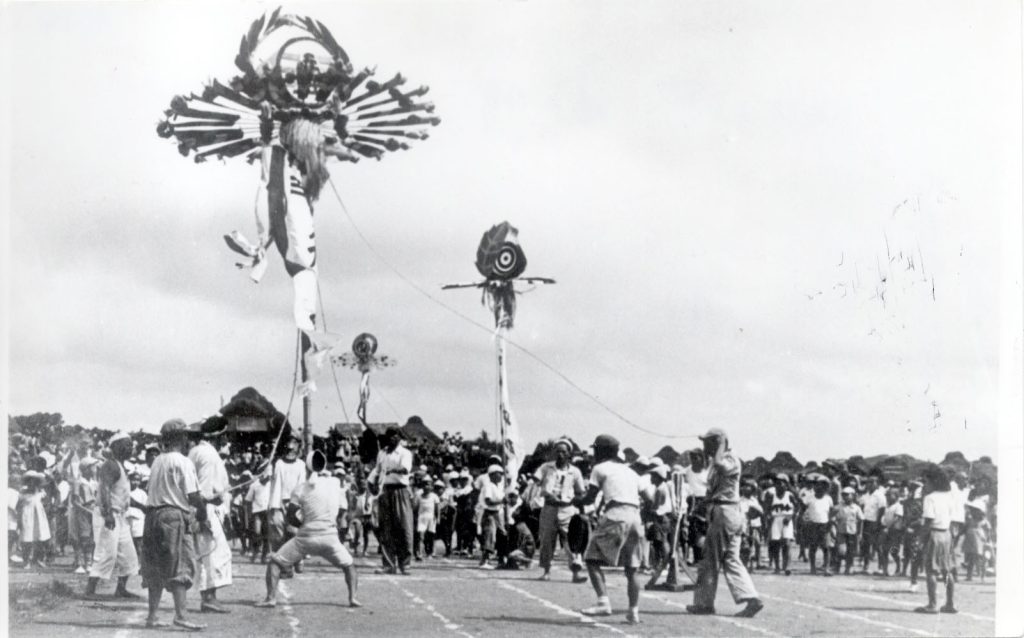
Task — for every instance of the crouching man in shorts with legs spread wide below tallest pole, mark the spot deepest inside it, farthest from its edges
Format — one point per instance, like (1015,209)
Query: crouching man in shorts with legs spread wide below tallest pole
(319,502)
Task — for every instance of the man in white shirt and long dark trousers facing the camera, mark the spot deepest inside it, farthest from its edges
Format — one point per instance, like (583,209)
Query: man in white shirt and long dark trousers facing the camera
(395,463)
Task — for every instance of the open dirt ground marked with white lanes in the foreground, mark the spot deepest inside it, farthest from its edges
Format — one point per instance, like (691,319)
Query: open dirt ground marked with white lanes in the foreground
(451,598)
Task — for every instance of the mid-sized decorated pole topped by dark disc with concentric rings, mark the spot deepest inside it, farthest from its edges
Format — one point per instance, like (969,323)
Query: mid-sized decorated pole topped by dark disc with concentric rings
(501,261)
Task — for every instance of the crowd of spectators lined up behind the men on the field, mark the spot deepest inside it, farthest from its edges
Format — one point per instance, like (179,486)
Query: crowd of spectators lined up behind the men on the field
(849,518)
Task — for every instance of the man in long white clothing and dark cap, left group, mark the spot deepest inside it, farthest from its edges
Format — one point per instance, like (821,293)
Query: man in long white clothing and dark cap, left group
(211,544)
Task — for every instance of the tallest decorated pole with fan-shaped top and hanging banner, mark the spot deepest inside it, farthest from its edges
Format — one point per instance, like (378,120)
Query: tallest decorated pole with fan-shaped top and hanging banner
(296,104)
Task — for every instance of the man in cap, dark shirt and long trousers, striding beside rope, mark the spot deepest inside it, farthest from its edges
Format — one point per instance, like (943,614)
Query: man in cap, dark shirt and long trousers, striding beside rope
(726,526)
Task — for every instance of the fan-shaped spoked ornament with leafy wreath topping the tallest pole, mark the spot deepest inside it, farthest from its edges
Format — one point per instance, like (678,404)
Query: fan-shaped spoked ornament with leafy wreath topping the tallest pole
(315,82)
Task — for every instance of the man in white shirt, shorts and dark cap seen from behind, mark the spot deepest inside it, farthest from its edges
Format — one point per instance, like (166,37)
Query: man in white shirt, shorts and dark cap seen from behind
(616,539)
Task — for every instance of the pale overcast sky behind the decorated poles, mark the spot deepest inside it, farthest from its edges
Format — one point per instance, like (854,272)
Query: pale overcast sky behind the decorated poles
(713,186)
